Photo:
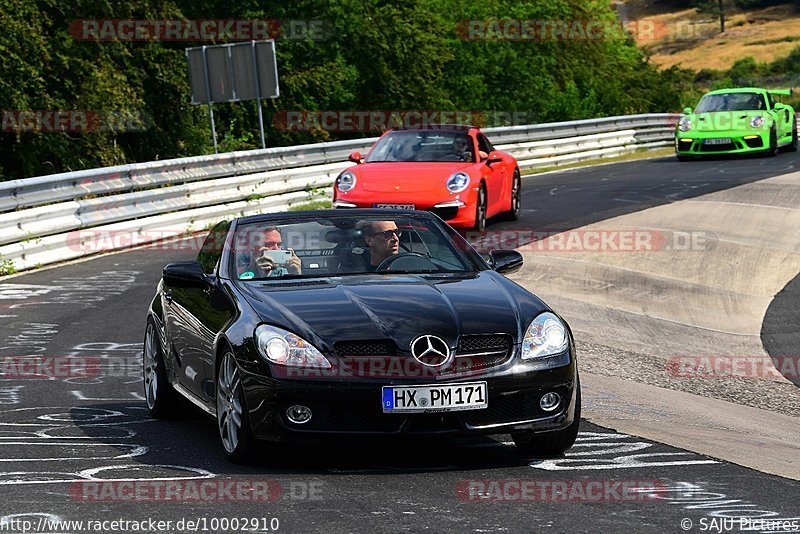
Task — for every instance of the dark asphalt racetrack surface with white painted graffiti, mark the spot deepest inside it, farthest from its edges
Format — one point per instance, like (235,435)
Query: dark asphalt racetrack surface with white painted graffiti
(61,437)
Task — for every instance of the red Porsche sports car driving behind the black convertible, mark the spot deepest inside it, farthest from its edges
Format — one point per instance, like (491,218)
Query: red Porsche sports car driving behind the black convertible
(453,171)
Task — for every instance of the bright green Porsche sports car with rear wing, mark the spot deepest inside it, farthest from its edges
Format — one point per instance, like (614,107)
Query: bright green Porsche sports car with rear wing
(736,121)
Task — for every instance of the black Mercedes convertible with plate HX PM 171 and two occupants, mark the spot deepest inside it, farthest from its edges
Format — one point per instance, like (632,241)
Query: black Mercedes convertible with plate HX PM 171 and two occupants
(297,325)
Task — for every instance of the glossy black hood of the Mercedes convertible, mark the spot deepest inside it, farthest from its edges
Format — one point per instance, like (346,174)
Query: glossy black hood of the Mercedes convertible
(397,307)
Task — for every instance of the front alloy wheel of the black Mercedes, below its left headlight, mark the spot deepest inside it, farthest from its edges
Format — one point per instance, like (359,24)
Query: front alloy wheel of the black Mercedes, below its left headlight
(234,428)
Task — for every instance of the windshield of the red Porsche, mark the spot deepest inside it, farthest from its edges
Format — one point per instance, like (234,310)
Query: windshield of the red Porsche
(423,146)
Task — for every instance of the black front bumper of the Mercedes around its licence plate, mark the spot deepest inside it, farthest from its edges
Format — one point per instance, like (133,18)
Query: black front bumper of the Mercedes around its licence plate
(354,407)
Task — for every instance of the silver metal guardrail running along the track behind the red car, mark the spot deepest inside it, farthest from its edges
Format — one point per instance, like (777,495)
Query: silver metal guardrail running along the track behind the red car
(58,217)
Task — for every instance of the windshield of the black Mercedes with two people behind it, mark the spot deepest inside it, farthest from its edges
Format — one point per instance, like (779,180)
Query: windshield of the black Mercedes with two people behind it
(341,246)
